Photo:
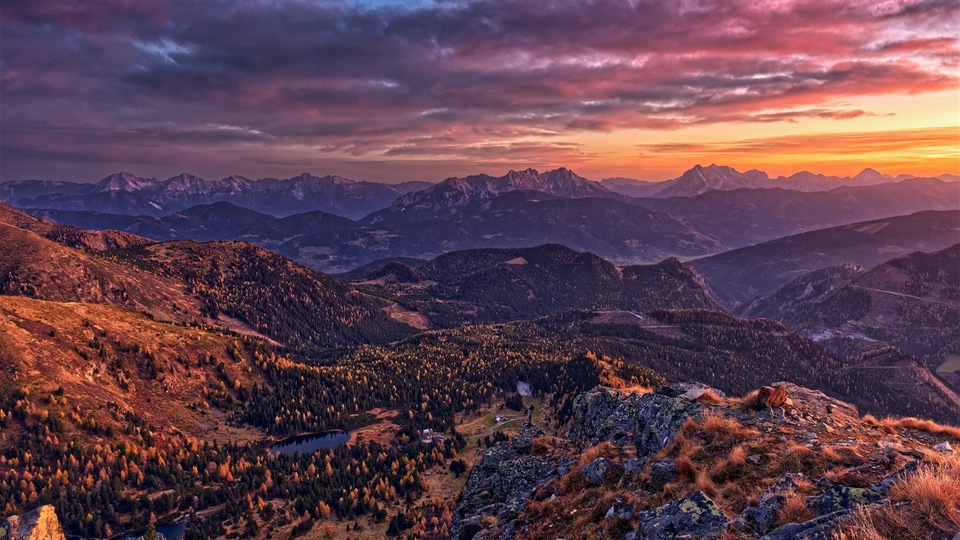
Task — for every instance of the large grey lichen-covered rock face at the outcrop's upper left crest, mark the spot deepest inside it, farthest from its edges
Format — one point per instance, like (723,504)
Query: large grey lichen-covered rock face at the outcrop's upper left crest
(649,421)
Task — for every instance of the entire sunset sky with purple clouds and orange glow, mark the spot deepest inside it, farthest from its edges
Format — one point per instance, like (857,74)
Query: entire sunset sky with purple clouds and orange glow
(390,90)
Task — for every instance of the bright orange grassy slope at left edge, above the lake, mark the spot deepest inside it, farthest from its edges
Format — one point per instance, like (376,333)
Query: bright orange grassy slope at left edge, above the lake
(92,363)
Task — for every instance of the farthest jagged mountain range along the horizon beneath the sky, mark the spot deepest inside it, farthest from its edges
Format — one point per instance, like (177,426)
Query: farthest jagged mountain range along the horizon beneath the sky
(125,193)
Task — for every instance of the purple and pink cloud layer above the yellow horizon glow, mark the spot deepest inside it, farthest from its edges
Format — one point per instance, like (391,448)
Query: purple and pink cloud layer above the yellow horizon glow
(282,77)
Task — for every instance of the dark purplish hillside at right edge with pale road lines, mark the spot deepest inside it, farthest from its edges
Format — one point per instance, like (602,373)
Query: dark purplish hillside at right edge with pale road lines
(912,302)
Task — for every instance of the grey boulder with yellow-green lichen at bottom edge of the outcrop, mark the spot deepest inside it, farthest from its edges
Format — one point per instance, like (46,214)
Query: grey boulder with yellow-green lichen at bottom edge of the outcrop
(694,516)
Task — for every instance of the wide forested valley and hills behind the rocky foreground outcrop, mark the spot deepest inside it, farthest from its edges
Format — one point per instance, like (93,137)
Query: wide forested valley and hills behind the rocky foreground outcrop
(152,375)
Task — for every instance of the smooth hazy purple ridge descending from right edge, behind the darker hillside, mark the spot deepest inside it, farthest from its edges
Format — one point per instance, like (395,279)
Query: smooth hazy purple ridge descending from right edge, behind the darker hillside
(744,273)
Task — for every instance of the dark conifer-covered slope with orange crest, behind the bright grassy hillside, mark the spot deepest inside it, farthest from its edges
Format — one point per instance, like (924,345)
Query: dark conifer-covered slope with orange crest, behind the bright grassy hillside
(301,308)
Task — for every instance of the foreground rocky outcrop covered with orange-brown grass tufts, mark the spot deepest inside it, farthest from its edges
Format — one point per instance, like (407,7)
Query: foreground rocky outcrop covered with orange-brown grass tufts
(686,461)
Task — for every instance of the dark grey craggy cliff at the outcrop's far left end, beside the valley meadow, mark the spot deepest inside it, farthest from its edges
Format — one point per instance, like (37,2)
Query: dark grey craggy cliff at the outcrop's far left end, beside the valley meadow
(499,485)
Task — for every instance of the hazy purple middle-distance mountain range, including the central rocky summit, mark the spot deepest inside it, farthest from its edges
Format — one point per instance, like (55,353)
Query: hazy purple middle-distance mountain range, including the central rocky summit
(485,212)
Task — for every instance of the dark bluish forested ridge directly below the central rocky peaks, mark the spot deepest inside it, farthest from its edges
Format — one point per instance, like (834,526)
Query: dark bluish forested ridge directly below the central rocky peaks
(615,230)
